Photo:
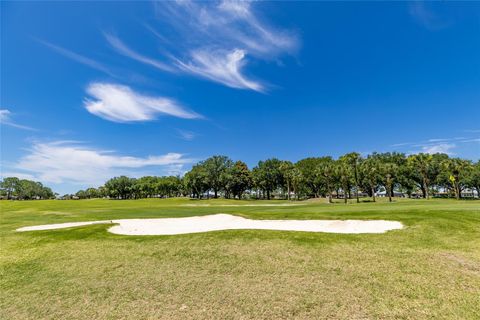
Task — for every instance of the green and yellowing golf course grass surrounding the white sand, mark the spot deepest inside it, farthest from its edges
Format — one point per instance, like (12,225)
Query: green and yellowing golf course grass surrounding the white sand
(430,269)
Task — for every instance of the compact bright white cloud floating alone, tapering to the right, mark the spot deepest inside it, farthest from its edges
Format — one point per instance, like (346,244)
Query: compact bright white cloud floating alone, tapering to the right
(120,103)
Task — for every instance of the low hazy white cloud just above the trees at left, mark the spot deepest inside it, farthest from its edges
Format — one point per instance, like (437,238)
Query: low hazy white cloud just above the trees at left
(75,163)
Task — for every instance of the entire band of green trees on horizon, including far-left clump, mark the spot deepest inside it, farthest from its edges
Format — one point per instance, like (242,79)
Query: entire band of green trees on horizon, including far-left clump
(349,176)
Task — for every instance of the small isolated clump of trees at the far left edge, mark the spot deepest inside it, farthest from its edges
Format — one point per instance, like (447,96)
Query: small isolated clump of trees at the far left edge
(15,188)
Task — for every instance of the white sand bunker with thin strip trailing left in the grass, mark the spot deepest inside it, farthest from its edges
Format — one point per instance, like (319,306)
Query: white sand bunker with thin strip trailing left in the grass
(217,222)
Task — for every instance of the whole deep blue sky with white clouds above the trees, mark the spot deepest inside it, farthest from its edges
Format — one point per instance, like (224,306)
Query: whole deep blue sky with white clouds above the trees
(90,90)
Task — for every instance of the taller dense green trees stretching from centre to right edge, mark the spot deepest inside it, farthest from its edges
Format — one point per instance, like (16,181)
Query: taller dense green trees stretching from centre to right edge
(349,176)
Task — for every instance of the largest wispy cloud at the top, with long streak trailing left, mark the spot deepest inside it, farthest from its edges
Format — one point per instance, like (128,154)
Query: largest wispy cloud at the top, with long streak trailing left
(212,40)
